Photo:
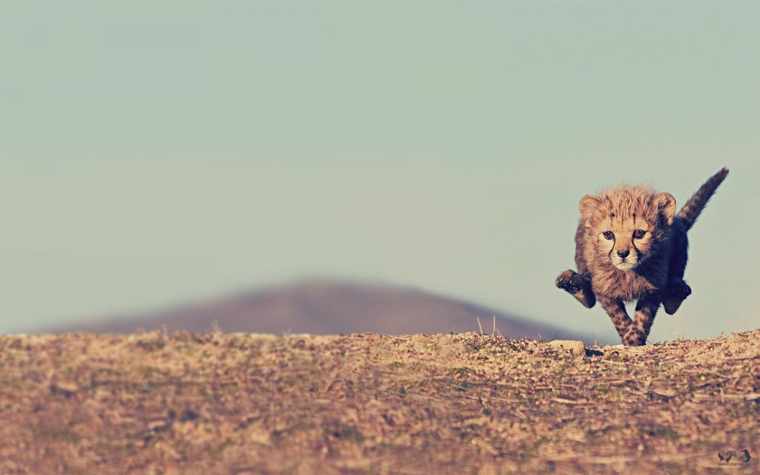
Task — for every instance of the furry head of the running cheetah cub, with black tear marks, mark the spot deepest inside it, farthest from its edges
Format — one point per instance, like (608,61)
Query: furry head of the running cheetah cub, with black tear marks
(626,225)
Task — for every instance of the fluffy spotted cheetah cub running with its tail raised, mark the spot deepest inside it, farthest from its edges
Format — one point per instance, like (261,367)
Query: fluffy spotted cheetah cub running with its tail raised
(631,244)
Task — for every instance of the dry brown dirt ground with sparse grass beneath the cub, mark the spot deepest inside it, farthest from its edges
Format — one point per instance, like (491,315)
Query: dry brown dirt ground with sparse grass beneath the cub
(461,403)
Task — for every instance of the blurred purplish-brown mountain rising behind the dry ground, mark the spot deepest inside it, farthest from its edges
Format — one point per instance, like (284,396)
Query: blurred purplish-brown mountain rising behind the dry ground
(329,307)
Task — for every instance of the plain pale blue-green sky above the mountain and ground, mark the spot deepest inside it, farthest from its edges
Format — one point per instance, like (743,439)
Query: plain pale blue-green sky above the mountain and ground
(153,153)
